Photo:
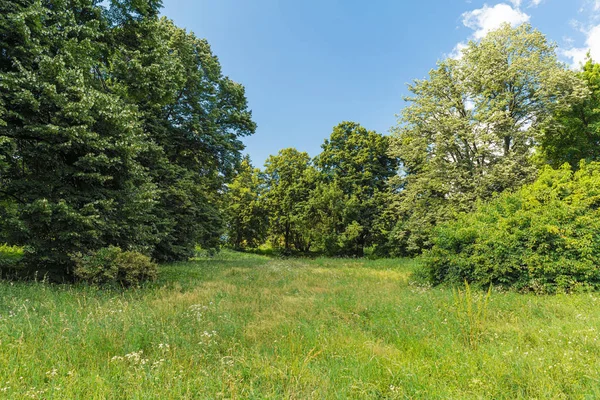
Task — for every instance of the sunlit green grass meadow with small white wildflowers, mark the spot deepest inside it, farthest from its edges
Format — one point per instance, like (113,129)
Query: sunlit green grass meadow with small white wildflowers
(246,326)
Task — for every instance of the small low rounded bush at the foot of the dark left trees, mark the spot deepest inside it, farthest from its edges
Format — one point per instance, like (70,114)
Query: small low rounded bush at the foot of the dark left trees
(111,265)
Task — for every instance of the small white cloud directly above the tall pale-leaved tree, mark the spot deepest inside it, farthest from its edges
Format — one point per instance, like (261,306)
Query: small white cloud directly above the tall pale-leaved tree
(486,19)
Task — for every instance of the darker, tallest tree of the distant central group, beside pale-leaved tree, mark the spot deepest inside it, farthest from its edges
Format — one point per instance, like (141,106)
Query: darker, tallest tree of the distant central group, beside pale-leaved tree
(356,164)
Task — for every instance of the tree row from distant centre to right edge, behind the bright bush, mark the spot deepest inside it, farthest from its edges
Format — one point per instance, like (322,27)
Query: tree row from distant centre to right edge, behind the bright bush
(480,125)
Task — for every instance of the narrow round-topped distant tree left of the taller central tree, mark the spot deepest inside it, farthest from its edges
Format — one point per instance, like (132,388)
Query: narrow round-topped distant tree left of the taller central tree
(288,179)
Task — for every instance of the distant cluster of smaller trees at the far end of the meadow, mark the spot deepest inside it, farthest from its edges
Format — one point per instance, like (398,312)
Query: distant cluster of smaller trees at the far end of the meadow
(331,204)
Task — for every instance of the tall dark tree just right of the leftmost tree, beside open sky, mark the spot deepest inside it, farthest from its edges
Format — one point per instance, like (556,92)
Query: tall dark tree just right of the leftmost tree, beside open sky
(193,117)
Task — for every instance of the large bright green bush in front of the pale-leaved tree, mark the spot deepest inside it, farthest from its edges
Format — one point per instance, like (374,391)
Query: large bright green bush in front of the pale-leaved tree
(544,237)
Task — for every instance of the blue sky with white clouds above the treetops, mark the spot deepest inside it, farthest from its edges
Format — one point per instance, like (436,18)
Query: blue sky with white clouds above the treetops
(308,65)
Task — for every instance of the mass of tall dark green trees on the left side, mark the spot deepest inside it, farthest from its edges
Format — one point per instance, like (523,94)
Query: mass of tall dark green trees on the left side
(117,128)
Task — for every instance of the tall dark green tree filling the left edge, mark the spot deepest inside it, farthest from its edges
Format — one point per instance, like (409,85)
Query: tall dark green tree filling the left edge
(70,178)
